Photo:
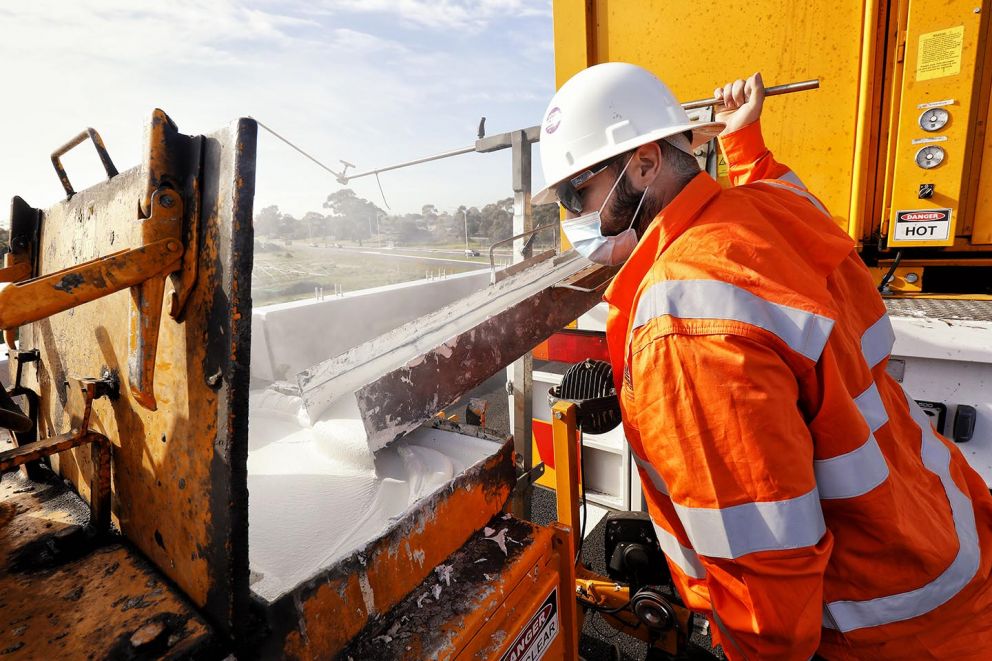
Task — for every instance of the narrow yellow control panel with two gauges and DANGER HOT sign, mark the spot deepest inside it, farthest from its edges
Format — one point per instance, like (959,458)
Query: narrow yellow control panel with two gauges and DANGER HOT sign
(935,124)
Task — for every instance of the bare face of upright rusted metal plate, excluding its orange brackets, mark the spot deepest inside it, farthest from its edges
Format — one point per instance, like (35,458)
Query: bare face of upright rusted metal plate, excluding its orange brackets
(179,473)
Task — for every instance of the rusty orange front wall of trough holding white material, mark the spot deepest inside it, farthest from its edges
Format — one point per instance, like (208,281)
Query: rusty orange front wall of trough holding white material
(319,618)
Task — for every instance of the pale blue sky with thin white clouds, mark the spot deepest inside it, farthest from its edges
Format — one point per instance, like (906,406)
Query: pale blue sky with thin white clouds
(373,82)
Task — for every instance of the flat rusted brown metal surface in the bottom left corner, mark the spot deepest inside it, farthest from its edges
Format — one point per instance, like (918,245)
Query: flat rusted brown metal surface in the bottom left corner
(65,594)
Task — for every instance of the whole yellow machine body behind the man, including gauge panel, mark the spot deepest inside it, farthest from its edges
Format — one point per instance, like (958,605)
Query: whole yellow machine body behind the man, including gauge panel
(895,142)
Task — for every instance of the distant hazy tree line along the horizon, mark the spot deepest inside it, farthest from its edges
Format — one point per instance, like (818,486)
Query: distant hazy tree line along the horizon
(347,217)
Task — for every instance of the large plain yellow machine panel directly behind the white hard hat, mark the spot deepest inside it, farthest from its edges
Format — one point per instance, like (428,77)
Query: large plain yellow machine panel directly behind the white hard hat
(689,45)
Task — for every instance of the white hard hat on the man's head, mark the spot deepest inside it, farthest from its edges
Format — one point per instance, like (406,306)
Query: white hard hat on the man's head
(606,110)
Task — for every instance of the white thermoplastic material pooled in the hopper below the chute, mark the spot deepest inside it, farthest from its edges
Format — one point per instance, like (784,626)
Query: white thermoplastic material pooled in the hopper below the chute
(317,494)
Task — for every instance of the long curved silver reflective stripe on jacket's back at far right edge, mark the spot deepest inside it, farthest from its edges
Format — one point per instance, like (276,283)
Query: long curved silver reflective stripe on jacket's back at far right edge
(851,615)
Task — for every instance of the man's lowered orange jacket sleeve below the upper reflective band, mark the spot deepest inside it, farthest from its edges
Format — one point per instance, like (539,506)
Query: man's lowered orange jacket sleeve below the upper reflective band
(719,420)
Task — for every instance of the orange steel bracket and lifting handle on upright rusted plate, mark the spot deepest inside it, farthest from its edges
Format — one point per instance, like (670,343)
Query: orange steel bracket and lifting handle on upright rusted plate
(169,245)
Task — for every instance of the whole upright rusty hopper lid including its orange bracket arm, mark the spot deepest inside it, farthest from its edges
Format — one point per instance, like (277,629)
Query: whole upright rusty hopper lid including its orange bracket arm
(179,478)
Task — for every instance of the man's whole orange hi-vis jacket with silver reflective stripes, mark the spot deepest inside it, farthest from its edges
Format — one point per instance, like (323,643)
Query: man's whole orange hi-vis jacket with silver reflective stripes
(802,498)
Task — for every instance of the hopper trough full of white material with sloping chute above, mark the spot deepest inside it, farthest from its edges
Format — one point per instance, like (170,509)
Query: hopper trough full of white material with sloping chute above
(355,485)
